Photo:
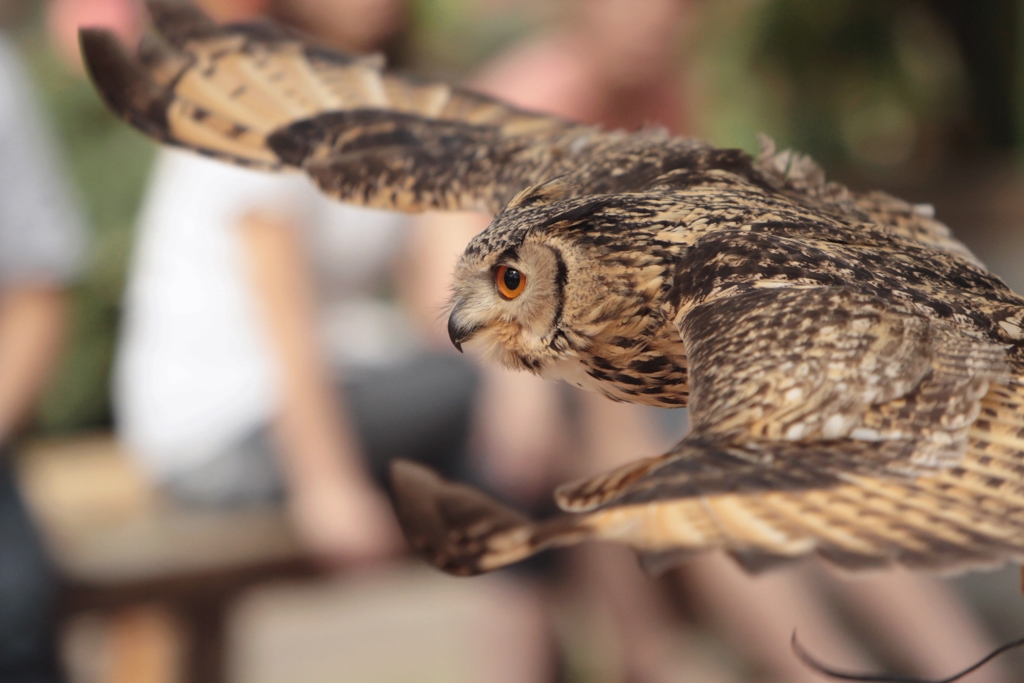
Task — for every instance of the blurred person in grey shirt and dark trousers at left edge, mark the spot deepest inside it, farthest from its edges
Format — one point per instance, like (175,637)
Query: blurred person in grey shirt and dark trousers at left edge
(42,244)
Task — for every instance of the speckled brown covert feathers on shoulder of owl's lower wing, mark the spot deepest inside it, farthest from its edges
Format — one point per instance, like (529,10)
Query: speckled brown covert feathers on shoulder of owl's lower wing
(826,364)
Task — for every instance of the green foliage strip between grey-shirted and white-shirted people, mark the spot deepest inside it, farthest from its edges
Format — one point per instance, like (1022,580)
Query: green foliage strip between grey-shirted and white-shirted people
(109,164)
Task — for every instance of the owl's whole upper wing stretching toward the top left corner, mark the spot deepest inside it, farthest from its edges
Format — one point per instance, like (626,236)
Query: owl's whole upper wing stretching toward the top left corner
(257,95)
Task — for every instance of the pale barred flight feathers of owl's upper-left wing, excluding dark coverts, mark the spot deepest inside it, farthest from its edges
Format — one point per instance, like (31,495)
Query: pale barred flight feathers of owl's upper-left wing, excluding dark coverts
(225,91)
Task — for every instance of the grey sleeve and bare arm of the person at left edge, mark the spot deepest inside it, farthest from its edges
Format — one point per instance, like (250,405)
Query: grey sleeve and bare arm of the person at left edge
(42,245)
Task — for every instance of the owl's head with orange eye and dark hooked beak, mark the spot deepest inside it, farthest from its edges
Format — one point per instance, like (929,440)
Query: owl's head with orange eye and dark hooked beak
(549,279)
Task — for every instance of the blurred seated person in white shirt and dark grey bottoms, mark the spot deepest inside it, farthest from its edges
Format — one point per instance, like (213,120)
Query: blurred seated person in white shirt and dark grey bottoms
(248,296)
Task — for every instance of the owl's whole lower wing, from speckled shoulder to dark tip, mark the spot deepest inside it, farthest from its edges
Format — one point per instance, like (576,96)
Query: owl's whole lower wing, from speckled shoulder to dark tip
(824,421)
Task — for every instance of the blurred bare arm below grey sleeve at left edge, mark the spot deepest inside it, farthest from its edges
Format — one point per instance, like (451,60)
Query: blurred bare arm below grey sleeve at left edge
(32,326)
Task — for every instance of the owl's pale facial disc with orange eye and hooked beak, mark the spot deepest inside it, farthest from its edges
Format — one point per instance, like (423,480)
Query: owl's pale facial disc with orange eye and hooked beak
(508,307)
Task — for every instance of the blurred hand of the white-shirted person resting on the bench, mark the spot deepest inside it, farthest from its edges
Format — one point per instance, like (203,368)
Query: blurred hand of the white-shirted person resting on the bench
(346,523)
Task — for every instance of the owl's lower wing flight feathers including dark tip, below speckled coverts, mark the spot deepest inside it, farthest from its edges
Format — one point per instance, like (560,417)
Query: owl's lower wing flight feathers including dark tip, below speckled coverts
(763,507)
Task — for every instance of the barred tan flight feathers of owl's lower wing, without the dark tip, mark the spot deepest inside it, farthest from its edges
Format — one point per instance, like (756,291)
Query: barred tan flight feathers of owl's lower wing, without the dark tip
(791,501)
